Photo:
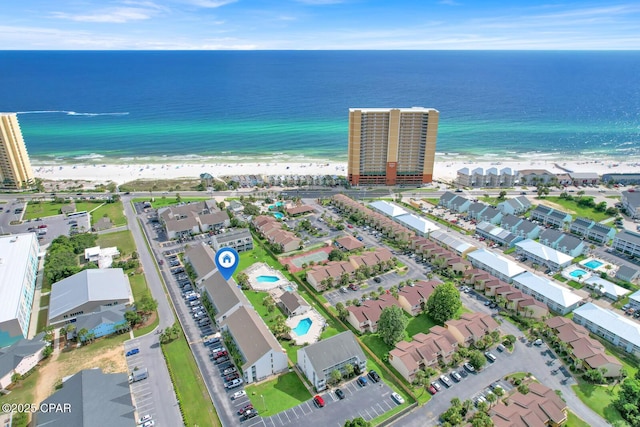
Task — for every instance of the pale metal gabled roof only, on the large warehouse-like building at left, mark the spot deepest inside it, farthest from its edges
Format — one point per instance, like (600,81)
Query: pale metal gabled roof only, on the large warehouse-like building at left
(108,284)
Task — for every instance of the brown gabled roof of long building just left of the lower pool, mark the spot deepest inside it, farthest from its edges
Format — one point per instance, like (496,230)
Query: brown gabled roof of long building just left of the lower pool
(251,335)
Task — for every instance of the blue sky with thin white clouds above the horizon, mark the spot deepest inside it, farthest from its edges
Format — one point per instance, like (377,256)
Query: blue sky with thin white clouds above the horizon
(318,24)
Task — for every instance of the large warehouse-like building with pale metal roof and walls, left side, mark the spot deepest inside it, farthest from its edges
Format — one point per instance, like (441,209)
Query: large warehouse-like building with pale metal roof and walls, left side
(88,291)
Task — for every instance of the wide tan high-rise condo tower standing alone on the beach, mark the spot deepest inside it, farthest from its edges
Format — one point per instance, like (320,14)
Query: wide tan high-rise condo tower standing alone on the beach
(392,146)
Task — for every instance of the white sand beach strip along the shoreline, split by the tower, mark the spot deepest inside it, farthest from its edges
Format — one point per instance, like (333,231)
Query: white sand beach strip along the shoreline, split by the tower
(445,170)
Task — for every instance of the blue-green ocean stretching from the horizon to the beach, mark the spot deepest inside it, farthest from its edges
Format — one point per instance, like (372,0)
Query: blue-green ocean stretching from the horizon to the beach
(124,106)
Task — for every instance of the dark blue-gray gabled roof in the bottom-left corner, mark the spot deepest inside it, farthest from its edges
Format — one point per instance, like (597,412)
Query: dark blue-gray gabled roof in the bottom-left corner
(96,398)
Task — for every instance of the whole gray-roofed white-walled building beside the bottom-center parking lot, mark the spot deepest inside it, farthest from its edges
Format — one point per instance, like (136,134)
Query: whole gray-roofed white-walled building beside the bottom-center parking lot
(318,360)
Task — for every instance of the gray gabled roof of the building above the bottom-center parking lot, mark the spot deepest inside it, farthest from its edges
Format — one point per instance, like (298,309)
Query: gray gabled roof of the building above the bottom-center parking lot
(331,352)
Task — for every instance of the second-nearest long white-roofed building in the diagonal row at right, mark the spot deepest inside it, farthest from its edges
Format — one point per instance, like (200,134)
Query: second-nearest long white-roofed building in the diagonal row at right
(555,296)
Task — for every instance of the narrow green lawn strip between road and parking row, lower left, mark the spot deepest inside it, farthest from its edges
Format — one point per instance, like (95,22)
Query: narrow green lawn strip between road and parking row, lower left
(195,402)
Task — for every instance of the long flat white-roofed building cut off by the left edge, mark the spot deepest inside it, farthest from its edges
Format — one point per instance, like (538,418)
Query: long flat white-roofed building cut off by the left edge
(18,272)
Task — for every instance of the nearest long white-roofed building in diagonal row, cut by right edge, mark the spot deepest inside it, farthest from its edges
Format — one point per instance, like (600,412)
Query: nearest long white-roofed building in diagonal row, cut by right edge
(613,327)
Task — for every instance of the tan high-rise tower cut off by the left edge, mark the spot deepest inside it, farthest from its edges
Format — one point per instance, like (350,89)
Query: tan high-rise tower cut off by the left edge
(15,167)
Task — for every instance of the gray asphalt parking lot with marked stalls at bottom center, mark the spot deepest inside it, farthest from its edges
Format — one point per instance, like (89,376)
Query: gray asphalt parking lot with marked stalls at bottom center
(367,402)
